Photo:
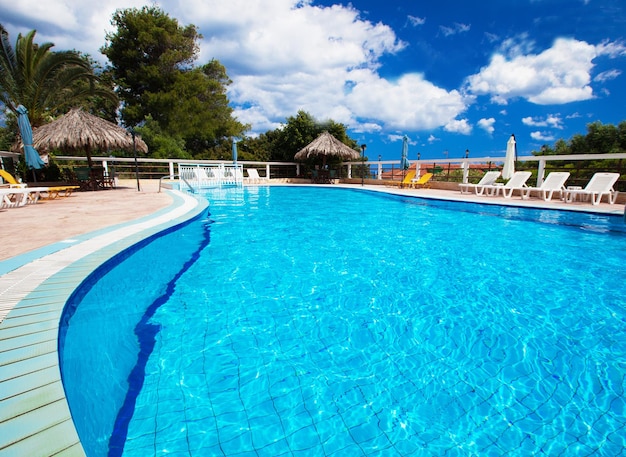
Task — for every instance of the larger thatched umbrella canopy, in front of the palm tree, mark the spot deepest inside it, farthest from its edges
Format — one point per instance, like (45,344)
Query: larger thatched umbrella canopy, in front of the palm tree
(78,130)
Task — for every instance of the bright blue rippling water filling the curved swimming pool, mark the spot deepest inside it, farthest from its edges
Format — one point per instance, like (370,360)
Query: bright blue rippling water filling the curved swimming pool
(333,322)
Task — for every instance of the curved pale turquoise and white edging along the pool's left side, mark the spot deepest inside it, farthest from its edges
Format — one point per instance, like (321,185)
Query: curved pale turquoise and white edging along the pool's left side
(35,418)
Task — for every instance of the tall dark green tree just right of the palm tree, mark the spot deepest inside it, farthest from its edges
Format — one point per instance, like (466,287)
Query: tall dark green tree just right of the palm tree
(151,59)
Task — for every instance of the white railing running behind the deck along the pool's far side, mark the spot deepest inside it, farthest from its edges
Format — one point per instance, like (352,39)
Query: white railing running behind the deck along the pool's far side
(581,167)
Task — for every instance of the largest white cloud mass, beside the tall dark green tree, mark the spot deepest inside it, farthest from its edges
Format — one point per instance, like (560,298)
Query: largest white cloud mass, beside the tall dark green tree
(286,56)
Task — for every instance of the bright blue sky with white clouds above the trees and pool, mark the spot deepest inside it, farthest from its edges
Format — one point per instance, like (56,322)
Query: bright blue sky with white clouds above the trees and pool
(451,75)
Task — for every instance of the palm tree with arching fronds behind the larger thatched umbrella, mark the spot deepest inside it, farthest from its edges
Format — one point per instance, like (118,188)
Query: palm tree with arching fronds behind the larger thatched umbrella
(45,82)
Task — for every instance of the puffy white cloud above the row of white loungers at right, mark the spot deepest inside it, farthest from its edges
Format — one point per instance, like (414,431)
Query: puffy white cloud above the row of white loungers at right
(560,74)
